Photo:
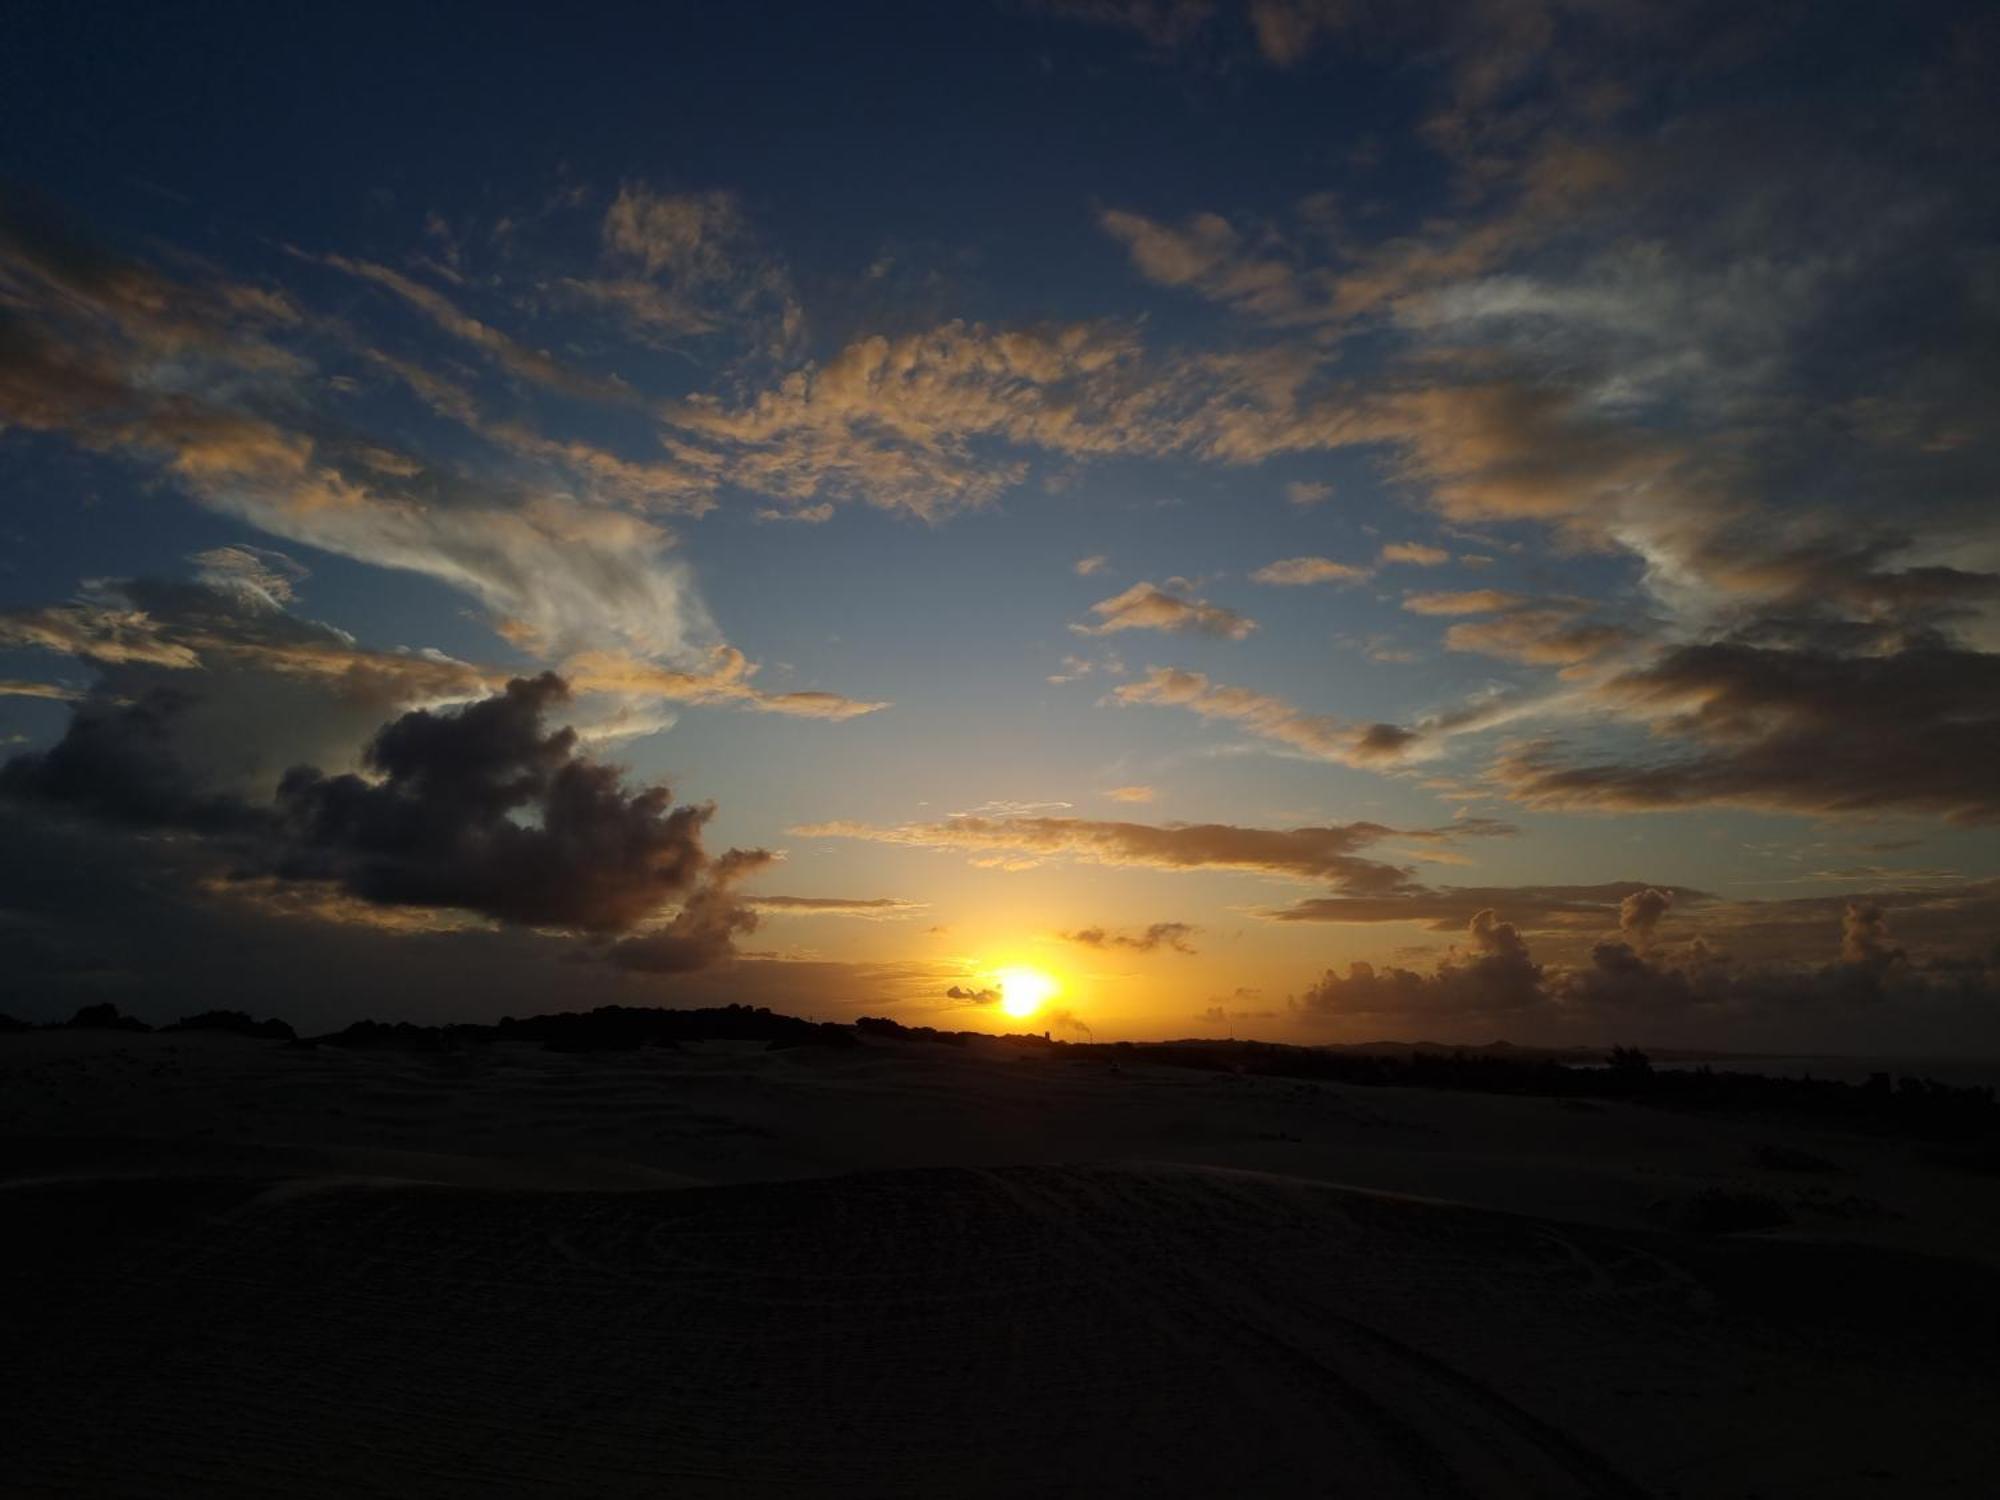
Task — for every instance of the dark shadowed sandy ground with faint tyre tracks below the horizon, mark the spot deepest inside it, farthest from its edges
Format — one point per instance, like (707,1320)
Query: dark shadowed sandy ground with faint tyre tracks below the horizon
(905,1269)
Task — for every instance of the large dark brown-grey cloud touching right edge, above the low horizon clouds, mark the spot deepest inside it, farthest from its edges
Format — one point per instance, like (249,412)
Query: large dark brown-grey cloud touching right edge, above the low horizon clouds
(1799,731)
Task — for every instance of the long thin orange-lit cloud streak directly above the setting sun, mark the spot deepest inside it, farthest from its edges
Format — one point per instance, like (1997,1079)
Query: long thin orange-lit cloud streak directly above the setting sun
(1331,853)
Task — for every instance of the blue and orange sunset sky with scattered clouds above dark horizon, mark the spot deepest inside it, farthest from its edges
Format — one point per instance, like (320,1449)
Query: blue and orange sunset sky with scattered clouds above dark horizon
(1293,519)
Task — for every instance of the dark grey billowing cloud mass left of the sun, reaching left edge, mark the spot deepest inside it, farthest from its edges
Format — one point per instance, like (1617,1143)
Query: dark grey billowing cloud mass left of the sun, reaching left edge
(481,811)
